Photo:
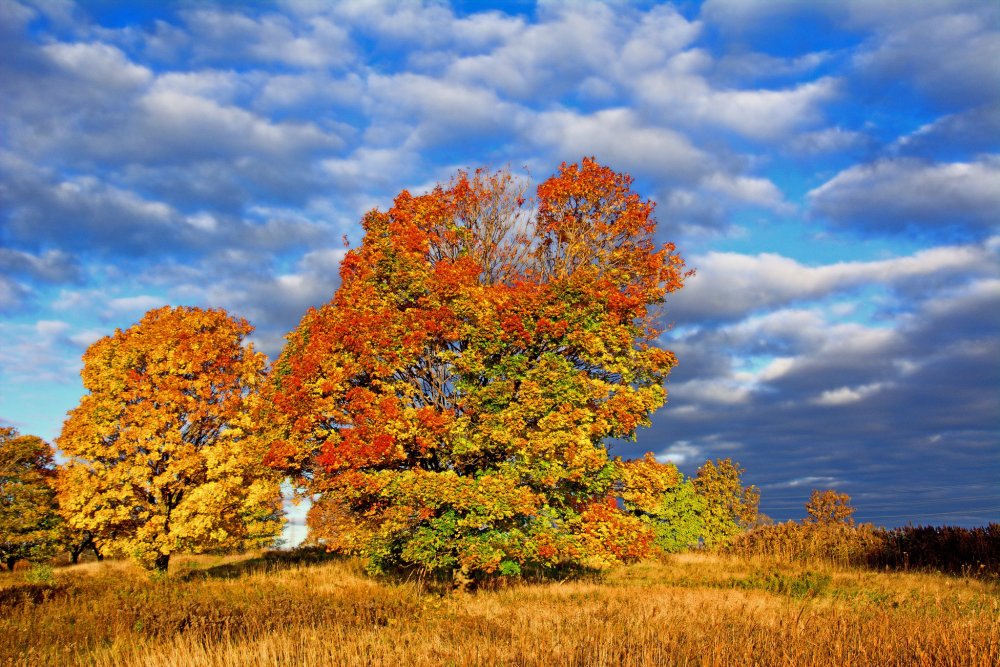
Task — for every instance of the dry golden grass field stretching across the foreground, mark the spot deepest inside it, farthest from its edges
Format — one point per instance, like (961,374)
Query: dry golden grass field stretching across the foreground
(691,610)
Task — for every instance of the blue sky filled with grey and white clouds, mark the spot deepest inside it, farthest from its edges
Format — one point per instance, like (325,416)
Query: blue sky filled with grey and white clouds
(830,168)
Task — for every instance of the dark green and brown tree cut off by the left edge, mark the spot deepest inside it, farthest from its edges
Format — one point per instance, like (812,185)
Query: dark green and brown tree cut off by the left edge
(28,519)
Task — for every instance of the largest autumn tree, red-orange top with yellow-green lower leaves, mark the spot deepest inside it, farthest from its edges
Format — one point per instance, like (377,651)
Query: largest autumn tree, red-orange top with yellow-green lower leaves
(452,404)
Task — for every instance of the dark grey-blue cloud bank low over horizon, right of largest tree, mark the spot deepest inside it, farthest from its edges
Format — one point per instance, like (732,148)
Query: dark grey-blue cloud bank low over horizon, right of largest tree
(892,414)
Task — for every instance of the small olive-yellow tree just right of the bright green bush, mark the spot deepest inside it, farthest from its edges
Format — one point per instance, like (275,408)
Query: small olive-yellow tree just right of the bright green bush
(730,508)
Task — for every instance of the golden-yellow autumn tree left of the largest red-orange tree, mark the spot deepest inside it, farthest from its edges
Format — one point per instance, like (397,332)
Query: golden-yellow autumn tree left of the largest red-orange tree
(162,453)
